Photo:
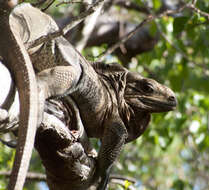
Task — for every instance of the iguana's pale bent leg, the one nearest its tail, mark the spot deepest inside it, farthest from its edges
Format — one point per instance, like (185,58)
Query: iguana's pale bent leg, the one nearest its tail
(60,80)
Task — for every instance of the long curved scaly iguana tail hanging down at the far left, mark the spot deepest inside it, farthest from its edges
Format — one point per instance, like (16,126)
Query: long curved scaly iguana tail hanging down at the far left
(16,58)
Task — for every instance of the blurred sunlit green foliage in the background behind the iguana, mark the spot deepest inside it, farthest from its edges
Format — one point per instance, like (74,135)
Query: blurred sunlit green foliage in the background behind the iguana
(173,154)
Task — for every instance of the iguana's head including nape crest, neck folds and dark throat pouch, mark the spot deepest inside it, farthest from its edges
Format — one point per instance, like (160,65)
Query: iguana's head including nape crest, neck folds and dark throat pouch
(137,97)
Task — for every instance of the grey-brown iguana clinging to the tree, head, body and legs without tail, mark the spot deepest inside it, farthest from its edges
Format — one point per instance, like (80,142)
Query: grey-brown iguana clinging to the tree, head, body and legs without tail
(109,97)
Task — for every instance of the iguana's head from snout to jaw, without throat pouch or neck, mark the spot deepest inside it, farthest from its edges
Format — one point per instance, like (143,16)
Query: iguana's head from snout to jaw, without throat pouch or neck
(148,95)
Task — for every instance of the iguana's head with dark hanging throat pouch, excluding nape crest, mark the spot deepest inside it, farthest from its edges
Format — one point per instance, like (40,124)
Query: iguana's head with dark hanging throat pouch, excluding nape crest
(144,96)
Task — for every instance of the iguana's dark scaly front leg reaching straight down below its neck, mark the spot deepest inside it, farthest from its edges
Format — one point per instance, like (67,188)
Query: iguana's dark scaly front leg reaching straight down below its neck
(113,140)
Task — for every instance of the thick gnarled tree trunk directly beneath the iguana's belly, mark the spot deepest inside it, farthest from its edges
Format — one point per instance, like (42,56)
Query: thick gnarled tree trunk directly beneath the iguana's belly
(64,148)
